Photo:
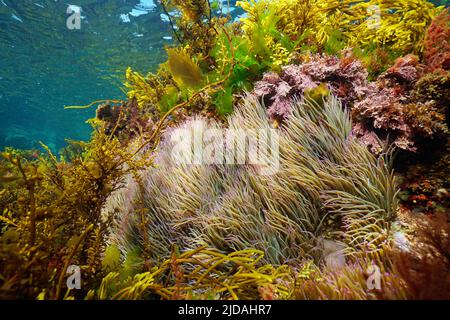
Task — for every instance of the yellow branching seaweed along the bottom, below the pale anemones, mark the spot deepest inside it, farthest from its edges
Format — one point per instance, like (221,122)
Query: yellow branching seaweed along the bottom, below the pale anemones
(202,273)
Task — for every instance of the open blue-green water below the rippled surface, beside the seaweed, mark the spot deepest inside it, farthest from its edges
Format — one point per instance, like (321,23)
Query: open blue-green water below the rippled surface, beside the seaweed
(45,66)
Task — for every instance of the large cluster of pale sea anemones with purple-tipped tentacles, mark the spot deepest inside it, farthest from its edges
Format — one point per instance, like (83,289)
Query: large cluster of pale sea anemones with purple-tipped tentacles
(324,175)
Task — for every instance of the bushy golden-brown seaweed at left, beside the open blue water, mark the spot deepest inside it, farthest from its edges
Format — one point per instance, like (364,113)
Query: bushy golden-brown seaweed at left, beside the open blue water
(53,213)
